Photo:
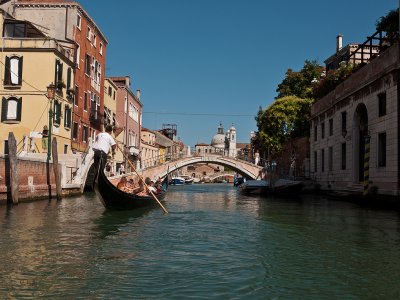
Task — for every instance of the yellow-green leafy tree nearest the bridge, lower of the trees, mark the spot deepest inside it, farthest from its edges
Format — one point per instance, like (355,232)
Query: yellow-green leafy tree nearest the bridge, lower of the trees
(285,118)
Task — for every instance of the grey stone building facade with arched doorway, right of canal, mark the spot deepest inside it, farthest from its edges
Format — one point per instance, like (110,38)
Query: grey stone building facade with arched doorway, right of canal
(355,130)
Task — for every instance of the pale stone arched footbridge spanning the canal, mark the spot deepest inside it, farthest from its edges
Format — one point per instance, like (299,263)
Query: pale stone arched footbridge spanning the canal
(244,168)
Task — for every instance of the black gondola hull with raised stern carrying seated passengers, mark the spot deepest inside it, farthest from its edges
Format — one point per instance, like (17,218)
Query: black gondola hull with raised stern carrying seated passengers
(114,198)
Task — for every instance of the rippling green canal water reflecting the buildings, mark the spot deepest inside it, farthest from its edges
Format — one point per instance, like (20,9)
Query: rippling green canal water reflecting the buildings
(214,244)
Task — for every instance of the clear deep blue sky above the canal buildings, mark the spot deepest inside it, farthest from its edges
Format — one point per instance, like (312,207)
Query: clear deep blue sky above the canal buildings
(198,63)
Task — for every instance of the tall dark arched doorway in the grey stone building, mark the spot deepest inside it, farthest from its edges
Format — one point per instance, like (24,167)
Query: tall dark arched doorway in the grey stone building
(360,131)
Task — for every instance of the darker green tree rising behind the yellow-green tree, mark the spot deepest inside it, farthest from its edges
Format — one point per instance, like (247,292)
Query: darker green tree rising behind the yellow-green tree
(300,83)
